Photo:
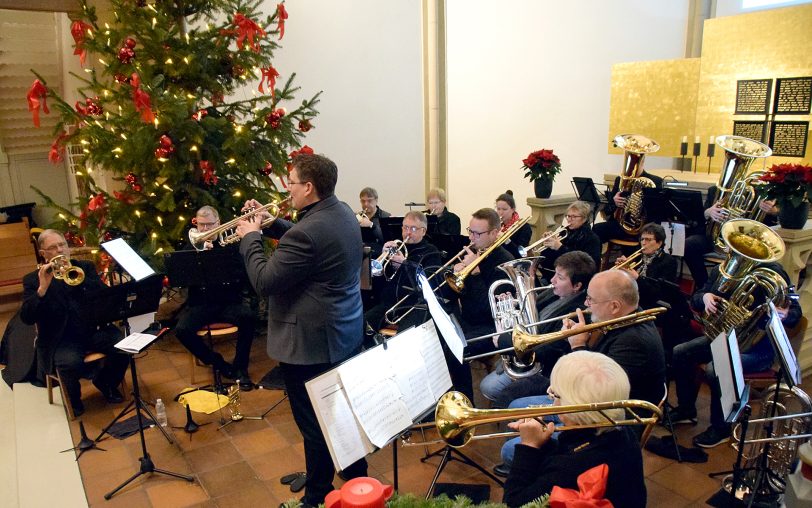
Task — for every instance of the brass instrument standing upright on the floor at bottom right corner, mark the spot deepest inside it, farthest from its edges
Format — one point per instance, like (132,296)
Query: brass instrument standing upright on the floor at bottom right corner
(790,417)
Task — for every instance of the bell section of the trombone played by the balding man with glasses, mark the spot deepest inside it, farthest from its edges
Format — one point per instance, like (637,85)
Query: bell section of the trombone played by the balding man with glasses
(524,342)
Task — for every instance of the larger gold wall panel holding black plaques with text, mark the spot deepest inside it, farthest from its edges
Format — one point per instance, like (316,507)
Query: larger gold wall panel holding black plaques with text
(770,44)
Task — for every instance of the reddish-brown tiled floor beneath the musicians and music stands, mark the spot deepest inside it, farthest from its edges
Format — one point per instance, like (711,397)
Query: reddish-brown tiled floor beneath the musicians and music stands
(241,465)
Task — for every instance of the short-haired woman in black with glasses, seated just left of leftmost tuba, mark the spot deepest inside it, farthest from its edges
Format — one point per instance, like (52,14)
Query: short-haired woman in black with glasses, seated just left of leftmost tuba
(579,237)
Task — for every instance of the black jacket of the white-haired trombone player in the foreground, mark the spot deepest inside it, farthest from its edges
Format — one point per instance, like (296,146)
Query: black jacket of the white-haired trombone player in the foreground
(535,471)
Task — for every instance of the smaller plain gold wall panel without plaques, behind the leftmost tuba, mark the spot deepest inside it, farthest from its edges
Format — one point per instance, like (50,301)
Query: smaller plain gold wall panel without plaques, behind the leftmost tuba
(656,99)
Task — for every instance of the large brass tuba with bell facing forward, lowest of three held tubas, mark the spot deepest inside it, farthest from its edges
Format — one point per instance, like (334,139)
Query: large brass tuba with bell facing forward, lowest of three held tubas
(749,245)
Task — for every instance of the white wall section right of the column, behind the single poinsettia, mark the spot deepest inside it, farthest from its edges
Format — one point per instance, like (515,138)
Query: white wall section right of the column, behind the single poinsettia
(534,74)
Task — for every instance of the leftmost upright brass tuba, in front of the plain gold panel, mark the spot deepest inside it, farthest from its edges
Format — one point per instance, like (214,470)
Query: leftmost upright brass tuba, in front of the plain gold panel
(632,216)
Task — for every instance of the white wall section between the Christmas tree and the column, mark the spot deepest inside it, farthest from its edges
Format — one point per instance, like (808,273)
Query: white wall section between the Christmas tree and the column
(366,55)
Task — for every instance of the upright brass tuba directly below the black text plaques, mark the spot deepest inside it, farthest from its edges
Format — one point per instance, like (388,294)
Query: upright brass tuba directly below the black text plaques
(737,194)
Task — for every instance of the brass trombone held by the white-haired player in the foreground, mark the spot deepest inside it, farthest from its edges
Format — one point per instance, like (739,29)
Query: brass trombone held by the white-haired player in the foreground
(456,419)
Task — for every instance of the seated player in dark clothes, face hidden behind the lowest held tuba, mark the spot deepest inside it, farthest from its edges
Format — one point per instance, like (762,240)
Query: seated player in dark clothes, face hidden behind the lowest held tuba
(689,355)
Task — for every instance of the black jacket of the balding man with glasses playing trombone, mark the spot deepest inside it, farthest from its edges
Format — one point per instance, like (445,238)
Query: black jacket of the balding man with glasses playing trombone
(639,350)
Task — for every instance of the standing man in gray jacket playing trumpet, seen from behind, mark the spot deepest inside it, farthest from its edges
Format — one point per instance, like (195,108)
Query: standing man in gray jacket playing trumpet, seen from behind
(312,281)
